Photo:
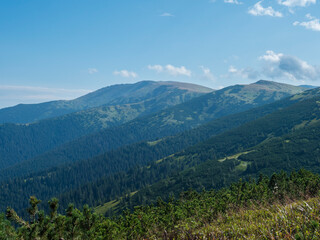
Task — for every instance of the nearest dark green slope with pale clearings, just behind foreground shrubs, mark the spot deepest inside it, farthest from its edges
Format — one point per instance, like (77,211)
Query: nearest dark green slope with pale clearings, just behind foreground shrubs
(217,161)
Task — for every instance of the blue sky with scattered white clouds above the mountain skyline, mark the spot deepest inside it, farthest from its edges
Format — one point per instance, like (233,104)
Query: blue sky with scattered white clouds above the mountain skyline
(62,49)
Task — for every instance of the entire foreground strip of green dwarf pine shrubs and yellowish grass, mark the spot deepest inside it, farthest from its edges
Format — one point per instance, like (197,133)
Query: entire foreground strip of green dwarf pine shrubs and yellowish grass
(280,207)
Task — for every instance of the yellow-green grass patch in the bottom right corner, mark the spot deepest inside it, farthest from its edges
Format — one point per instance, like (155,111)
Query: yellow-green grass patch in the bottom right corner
(298,220)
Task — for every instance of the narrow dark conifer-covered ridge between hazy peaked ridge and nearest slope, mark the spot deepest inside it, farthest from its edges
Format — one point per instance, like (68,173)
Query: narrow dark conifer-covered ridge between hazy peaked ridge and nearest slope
(46,184)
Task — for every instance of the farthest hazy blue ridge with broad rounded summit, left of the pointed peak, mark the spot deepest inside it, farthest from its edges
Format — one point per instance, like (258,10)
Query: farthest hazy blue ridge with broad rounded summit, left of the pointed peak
(113,95)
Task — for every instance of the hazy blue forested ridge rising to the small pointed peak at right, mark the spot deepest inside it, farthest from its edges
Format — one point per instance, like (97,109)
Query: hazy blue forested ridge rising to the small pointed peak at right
(48,143)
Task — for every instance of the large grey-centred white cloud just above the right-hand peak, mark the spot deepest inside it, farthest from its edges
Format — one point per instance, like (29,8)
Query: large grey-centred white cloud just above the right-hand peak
(279,65)
